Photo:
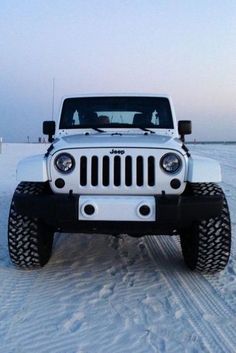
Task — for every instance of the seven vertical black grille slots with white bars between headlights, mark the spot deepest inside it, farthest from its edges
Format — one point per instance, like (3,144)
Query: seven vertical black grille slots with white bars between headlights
(116,171)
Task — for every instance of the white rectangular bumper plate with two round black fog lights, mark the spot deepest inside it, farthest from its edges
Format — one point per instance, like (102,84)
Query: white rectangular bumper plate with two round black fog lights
(116,208)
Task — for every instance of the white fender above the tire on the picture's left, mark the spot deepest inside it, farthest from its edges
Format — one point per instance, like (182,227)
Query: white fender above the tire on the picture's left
(32,169)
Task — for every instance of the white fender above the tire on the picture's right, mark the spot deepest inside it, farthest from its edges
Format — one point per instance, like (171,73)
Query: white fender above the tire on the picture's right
(203,170)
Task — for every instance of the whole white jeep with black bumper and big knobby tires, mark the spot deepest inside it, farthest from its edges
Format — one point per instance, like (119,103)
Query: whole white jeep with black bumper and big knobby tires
(119,165)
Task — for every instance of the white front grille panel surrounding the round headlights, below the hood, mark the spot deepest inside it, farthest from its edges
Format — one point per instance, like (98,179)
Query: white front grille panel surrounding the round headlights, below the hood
(120,171)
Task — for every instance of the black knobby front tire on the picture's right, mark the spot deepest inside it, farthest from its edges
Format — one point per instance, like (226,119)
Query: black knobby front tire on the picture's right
(206,244)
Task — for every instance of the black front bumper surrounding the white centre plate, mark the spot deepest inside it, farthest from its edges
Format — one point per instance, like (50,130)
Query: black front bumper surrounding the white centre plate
(62,212)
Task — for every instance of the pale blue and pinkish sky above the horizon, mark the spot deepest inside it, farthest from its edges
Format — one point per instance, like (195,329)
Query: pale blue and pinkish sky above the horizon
(186,48)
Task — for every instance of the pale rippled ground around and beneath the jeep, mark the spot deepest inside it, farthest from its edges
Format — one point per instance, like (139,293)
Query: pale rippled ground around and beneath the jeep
(99,294)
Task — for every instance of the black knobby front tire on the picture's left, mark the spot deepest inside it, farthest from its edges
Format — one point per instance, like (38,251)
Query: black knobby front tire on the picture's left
(29,239)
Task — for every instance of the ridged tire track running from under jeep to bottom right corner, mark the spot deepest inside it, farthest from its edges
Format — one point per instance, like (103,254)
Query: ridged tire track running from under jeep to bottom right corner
(186,287)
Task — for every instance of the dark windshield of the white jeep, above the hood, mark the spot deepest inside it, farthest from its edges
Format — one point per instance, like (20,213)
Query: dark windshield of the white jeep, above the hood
(121,112)
